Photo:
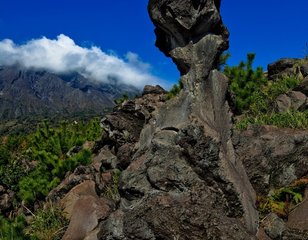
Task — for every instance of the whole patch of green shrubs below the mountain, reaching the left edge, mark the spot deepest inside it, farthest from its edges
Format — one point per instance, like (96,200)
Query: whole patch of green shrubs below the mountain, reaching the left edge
(32,165)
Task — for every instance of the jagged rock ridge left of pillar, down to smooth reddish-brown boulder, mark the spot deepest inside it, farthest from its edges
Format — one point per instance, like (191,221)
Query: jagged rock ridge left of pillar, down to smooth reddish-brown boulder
(83,194)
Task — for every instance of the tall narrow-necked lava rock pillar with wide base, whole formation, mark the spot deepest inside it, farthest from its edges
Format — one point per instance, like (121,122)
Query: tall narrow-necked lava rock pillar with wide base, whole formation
(184,181)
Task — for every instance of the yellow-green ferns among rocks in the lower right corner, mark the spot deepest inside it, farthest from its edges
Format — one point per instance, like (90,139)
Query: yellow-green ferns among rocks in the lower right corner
(283,200)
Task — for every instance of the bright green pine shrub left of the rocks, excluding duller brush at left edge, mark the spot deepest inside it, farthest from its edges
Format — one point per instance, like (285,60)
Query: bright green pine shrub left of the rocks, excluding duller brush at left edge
(49,148)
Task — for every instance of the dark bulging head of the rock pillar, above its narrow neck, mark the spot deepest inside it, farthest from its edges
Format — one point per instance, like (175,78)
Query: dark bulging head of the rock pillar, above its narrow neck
(192,33)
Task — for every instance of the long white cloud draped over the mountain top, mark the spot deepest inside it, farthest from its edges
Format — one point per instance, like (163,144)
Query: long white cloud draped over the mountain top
(63,55)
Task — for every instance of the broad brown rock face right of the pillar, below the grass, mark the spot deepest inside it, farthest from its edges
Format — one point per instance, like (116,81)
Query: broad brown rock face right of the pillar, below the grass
(272,157)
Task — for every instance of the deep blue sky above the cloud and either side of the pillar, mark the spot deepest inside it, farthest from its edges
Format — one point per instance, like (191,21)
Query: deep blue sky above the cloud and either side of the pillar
(270,28)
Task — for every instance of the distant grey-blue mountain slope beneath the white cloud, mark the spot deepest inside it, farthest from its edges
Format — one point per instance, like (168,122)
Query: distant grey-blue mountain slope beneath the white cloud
(29,92)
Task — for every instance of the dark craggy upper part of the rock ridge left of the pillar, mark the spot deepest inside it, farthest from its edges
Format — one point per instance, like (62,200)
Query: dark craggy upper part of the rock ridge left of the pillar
(123,126)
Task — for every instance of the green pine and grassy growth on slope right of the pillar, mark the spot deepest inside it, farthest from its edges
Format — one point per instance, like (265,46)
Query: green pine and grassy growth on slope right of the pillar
(254,96)
